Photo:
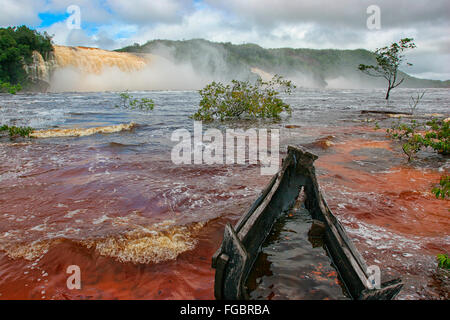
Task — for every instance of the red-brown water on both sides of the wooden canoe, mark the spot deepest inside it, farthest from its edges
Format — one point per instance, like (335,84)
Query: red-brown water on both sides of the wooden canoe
(141,228)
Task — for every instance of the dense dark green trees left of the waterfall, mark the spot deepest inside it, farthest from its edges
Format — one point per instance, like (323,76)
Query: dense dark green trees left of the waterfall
(16,47)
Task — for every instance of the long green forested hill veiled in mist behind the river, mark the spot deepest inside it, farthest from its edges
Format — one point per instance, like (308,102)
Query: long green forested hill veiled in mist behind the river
(307,67)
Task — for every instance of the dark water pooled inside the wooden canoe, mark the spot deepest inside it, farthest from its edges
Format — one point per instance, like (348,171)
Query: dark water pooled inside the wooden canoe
(293,262)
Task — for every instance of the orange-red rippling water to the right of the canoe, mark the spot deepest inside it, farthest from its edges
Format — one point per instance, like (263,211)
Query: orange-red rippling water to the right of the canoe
(389,210)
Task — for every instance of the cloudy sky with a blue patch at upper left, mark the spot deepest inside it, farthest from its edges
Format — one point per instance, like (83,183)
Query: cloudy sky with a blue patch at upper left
(319,24)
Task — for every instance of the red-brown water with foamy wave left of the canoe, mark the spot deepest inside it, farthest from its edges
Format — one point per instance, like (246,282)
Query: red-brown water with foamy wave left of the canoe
(138,228)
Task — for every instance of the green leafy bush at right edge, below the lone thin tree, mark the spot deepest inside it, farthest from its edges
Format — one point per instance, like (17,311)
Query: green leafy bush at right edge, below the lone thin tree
(433,133)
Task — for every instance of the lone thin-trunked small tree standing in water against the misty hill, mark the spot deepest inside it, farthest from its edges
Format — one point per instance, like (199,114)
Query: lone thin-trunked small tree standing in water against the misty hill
(388,61)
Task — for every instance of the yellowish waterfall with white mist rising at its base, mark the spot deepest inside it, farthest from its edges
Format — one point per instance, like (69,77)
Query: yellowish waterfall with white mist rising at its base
(90,69)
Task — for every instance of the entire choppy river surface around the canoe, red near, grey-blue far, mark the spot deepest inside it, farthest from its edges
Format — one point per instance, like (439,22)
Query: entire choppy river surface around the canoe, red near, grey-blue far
(139,227)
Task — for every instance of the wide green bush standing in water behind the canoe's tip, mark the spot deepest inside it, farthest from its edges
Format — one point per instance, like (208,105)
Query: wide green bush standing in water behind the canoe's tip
(241,99)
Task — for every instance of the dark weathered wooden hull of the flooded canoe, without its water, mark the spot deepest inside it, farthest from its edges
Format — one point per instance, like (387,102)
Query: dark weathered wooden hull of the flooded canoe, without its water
(241,245)
